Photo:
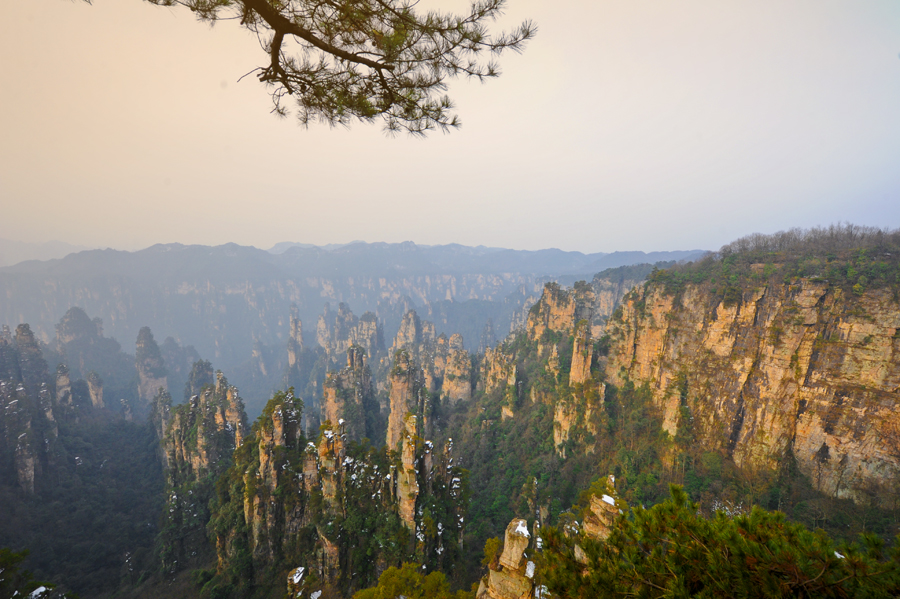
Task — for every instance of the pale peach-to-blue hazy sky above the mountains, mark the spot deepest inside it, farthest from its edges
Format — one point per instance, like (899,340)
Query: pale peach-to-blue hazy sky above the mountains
(651,125)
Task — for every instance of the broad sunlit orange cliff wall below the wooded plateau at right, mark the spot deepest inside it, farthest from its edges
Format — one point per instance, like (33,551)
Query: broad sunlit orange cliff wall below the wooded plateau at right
(789,368)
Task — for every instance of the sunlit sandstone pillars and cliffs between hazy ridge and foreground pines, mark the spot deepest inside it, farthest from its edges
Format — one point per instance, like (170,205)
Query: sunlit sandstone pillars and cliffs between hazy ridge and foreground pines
(752,377)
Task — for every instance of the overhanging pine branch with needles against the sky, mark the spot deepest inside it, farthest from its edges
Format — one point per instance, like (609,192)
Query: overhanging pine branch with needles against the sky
(364,59)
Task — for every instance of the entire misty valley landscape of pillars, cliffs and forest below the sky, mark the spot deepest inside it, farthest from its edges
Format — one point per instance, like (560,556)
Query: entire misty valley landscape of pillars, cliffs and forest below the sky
(384,420)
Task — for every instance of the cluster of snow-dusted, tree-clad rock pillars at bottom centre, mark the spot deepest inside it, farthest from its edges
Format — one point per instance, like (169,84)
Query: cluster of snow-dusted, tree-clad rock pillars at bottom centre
(335,511)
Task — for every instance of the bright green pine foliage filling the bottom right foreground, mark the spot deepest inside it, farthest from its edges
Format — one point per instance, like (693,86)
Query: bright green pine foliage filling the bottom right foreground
(671,550)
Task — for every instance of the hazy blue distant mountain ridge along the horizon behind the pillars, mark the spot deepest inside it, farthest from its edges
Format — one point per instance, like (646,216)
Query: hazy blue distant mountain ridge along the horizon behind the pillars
(224,300)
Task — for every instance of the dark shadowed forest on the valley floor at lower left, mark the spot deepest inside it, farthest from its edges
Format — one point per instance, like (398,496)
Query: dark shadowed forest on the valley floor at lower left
(93,524)
